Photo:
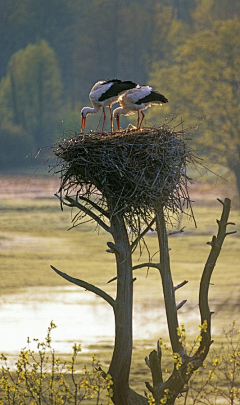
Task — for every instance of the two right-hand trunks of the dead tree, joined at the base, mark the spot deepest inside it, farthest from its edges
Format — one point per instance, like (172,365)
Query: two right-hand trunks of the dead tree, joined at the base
(177,382)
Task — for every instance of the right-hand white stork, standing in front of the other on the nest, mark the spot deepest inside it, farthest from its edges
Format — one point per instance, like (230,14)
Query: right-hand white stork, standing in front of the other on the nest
(137,99)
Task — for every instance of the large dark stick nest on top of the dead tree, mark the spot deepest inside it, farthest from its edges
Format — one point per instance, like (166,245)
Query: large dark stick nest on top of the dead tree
(129,172)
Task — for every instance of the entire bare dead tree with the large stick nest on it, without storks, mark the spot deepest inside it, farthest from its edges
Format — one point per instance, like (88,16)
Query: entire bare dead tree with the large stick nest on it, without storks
(128,184)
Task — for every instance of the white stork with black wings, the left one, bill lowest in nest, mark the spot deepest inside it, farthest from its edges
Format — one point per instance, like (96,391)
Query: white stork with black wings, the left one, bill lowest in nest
(104,94)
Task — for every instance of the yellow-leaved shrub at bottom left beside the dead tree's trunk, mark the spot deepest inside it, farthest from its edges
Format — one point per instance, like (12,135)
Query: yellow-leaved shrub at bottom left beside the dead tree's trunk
(42,378)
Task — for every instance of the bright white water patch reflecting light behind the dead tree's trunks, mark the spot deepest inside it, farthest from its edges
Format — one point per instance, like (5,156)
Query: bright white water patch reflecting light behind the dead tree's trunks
(80,317)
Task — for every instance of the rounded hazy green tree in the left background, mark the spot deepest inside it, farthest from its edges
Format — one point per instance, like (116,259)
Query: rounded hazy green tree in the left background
(31,91)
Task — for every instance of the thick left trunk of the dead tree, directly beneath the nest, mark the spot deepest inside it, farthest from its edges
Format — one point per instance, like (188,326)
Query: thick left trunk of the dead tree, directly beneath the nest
(121,360)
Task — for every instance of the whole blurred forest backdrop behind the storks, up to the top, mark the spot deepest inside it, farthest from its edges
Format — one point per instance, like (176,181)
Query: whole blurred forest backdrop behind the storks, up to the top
(52,52)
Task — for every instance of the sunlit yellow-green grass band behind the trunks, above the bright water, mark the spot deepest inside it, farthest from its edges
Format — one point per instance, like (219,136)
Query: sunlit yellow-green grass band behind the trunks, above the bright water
(34,235)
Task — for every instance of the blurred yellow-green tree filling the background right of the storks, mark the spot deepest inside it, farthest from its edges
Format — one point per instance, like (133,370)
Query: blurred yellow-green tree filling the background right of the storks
(203,83)
